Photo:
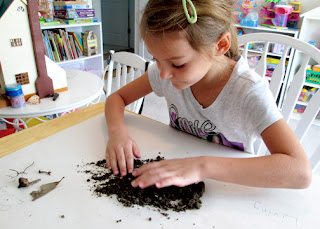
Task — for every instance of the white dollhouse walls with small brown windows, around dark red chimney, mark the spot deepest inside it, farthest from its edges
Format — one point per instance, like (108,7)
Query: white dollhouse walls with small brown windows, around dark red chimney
(17,58)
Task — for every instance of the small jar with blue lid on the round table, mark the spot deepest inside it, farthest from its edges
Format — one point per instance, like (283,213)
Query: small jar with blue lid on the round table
(15,93)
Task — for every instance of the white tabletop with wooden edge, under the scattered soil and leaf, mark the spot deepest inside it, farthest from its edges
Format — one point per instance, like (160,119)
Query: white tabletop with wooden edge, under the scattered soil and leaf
(224,205)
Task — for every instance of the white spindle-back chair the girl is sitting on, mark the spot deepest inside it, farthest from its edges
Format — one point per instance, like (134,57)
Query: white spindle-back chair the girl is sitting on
(279,78)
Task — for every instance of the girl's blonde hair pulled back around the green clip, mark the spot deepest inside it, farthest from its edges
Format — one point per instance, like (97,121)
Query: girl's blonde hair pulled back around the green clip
(214,19)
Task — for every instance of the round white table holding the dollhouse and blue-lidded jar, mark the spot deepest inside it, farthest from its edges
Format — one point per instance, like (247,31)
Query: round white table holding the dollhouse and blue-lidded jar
(84,88)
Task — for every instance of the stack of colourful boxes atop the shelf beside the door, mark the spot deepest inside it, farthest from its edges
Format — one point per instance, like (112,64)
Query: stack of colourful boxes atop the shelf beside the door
(71,12)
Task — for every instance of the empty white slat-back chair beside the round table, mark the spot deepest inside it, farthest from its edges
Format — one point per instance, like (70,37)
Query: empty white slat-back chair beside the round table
(128,67)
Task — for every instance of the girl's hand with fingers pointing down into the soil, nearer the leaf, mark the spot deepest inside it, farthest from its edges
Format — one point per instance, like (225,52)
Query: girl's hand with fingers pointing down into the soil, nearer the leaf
(119,154)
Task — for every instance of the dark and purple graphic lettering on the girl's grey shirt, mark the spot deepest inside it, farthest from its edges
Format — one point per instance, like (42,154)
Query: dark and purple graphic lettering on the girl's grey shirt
(206,130)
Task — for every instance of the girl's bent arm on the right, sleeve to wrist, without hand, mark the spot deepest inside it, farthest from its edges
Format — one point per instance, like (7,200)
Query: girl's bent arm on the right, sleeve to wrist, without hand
(286,167)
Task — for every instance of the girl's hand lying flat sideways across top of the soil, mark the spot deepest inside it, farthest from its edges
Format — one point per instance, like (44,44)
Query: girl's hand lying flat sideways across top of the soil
(178,172)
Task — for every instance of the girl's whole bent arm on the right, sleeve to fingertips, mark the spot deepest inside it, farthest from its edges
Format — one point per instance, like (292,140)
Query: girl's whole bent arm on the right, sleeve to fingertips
(286,167)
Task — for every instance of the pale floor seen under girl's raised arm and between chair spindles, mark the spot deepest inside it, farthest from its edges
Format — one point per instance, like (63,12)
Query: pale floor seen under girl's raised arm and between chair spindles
(156,108)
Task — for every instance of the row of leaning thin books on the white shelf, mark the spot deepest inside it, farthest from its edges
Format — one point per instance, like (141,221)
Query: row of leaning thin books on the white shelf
(61,45)
